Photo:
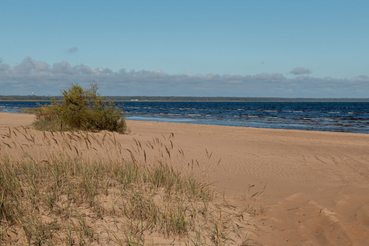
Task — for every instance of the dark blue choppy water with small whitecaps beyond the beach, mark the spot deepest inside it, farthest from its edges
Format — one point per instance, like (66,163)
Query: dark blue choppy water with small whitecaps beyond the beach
(324,116)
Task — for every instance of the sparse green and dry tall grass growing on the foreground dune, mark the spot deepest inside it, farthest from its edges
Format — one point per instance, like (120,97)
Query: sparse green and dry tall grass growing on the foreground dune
(130,198)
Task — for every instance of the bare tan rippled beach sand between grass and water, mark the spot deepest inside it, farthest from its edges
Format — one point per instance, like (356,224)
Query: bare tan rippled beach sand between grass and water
(310,188)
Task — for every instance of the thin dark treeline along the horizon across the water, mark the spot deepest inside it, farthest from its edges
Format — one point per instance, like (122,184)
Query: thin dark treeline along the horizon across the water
(191,99)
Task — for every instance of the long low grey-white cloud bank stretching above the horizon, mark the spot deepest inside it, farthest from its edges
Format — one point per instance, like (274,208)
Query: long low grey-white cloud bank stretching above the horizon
(44,79)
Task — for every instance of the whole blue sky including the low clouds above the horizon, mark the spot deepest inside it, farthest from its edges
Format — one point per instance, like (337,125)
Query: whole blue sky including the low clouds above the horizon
(259,48)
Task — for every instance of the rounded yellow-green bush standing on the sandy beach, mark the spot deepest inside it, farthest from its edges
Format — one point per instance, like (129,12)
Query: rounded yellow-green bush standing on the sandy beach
(80,110)
